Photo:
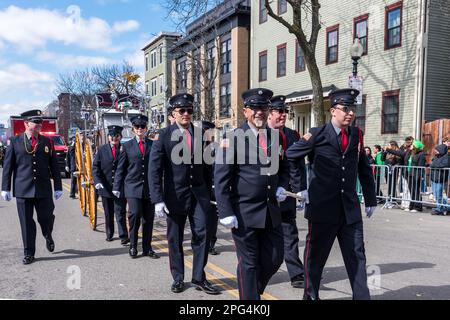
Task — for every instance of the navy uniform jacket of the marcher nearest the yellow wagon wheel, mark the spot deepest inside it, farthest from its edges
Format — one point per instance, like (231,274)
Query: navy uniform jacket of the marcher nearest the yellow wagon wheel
(104,169)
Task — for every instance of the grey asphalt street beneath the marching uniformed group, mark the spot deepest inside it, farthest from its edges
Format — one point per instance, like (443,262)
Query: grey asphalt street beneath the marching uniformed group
(407,254)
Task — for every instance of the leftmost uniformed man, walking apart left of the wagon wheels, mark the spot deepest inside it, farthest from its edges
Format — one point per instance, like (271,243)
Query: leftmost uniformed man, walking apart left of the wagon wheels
(31,161)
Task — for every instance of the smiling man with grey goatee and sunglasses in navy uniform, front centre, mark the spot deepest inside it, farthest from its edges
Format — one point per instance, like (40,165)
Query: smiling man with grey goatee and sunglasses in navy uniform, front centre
(248,194)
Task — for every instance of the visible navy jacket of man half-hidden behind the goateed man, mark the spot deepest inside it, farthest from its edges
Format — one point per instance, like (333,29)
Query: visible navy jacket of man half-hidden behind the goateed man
(298,172)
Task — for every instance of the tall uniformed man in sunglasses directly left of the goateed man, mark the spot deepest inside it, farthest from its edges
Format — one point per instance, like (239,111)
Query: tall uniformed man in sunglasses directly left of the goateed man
(178,189)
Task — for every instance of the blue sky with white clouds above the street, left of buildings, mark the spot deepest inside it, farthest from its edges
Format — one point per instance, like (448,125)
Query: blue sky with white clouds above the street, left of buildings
(40,39)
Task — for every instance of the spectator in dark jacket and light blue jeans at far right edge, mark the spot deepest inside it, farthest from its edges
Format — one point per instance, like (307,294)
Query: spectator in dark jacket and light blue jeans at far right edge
(439,178)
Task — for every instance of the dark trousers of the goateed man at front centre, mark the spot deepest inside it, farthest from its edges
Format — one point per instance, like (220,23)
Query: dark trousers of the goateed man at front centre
(260,254)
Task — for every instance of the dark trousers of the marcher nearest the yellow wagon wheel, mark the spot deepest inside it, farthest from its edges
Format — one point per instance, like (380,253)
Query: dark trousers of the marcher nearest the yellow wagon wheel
(115,207)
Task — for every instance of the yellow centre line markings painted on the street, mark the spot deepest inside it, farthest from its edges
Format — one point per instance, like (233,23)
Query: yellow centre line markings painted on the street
(229,276)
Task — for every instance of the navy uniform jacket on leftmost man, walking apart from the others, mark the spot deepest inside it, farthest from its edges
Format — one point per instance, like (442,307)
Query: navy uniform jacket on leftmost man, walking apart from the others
(31,172)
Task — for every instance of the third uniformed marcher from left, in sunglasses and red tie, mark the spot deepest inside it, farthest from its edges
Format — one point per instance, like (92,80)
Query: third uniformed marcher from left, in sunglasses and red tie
(131,177)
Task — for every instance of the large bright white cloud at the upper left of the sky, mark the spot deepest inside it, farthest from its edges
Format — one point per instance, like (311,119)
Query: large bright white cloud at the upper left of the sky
(28,29)
